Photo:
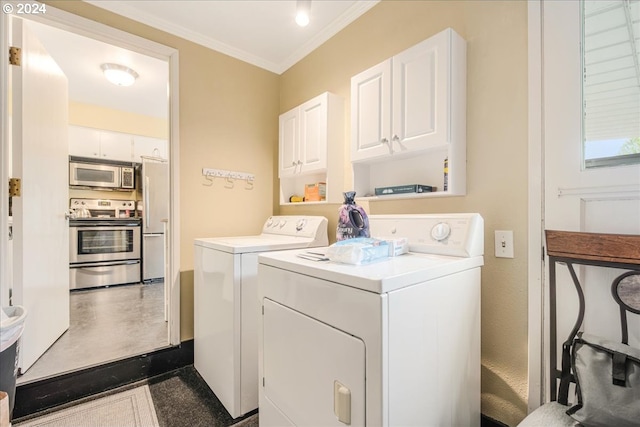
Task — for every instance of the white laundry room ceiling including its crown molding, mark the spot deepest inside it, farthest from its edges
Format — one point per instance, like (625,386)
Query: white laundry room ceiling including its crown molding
(261,32)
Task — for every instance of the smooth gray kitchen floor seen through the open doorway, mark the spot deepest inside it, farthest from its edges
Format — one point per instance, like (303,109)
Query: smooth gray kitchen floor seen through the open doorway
(106,324)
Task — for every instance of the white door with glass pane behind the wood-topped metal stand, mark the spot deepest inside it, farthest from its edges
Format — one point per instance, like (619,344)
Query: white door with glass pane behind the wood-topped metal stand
(601,200)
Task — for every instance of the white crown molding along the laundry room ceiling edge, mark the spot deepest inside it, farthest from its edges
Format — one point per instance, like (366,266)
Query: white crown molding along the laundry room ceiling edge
(124,9)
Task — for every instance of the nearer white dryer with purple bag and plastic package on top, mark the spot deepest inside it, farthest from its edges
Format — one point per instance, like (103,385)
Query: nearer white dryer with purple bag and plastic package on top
(392,343)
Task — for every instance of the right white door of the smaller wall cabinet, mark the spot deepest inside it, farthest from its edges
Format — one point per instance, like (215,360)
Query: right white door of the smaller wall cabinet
(312,146)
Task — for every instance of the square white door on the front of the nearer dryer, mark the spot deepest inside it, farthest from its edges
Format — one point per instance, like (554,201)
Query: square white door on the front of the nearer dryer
(313,373)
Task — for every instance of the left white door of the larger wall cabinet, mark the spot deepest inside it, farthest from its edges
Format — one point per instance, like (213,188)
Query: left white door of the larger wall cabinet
(370,112)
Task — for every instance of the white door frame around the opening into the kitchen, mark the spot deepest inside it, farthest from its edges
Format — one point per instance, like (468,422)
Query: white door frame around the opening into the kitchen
(83,26)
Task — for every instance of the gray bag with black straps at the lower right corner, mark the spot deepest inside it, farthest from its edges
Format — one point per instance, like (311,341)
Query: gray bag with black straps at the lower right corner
(608,382)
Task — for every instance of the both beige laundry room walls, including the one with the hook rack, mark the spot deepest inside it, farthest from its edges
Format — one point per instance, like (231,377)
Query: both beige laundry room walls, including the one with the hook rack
(228,120)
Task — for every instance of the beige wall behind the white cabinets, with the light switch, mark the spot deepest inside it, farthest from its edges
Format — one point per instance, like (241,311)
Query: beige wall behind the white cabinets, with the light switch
(496,34)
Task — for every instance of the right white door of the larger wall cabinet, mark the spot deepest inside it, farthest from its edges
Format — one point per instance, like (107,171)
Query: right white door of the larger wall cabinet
(421,87)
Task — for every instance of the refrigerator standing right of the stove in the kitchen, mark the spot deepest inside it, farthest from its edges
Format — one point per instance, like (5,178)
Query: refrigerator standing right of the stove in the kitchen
(155,215)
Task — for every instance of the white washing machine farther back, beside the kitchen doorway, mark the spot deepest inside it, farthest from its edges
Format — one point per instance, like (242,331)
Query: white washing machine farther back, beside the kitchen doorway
(227,309)
